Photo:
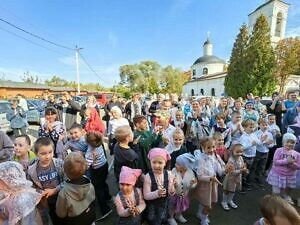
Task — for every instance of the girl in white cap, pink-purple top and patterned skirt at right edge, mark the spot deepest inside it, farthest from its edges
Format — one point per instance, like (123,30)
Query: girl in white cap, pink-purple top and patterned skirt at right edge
(286,161)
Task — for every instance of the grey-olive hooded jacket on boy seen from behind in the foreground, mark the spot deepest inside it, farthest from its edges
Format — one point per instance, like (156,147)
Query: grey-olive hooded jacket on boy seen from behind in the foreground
(74,199)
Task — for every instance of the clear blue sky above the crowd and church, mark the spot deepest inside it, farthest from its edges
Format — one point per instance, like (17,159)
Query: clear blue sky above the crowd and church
(113,33)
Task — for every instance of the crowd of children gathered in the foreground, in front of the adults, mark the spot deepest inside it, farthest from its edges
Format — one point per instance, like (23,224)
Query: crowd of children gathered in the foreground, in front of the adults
(158,167)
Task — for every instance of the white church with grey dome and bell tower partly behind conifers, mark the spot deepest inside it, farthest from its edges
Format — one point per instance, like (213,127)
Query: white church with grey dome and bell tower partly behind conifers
(208,72)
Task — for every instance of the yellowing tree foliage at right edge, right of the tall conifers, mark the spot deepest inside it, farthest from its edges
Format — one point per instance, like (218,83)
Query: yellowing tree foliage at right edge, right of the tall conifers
(287,55)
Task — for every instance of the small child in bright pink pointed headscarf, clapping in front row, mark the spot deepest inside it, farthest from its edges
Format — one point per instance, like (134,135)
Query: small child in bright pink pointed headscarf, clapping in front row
(129,201)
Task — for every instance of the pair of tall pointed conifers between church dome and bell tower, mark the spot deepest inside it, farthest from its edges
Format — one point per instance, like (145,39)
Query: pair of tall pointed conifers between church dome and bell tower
(252,62)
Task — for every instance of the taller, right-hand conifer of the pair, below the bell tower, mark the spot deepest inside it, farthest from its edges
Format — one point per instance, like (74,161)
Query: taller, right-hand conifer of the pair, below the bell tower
(260,60)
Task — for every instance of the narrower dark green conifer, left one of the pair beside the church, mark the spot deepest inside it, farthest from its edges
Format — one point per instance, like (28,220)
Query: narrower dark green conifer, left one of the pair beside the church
(235,85)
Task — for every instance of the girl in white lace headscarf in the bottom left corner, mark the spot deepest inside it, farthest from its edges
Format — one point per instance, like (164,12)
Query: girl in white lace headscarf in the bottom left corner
(18,199)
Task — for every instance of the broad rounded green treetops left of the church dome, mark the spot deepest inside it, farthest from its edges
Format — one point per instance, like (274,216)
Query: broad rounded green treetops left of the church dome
(149,76)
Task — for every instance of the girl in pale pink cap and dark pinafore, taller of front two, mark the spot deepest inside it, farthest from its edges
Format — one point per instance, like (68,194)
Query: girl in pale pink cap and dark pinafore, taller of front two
(158,186)
